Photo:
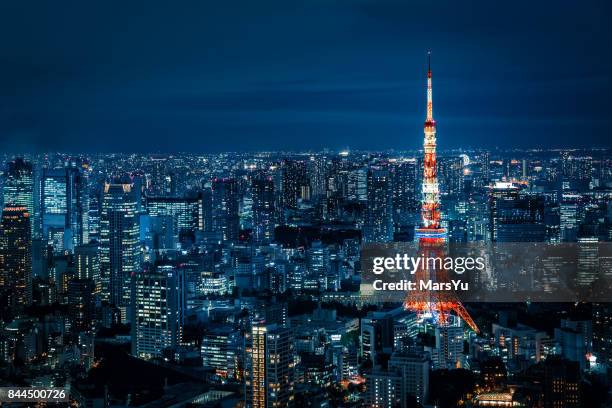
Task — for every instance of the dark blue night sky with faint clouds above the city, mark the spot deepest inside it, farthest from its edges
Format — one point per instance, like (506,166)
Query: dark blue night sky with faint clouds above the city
(254,75)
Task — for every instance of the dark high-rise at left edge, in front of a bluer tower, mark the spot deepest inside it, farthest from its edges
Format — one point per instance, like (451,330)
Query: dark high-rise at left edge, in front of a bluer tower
(16,256)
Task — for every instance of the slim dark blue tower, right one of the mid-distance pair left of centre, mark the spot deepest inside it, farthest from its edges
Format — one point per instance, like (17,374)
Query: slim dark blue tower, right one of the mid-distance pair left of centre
(263,209)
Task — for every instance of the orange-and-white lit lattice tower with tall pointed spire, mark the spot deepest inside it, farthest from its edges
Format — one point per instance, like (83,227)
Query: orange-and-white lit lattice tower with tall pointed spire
(431,236)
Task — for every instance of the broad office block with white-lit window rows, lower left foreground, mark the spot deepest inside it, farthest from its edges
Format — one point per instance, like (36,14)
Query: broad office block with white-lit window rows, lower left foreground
(156,308)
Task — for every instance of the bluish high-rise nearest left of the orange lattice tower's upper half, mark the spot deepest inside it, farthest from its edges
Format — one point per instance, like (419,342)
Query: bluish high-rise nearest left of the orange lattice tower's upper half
(378,225)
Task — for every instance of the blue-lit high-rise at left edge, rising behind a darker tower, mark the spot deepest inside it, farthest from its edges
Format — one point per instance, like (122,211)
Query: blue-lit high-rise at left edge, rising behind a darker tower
(18,188)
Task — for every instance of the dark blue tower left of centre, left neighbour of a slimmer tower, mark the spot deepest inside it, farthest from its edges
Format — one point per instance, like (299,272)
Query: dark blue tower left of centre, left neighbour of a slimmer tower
(225,214)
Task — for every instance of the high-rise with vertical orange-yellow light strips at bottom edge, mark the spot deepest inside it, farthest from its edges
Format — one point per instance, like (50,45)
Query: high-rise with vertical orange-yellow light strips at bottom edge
(269,371)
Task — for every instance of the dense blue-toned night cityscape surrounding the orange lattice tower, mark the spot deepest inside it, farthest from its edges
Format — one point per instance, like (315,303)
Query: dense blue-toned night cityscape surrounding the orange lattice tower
(220,279)
